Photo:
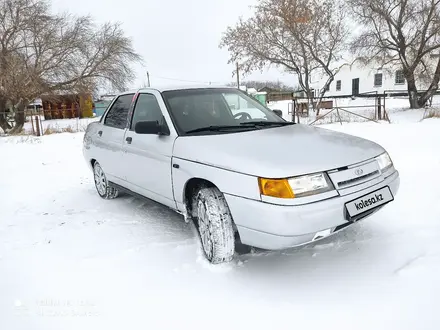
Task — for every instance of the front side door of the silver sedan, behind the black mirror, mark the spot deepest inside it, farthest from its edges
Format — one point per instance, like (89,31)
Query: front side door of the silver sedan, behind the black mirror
(148,156)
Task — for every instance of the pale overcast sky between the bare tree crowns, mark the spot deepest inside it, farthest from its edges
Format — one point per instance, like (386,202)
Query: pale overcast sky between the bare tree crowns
(177,39)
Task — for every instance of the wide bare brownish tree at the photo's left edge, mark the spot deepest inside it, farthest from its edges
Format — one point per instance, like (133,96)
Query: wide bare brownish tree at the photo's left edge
(42,53)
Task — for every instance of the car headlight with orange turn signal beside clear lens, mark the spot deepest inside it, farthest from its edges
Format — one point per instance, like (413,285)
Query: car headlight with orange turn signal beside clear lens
(300,186)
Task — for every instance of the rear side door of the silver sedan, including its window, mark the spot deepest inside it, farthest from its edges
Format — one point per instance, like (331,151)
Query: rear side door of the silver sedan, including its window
(111,136)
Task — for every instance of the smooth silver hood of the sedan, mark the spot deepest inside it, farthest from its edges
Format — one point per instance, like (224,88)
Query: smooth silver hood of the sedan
(277,152)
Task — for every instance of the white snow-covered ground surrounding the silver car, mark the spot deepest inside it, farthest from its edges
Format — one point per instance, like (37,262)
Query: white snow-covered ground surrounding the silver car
(69,260)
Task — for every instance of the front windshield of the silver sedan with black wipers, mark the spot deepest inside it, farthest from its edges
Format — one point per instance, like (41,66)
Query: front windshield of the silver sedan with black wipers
(217,110)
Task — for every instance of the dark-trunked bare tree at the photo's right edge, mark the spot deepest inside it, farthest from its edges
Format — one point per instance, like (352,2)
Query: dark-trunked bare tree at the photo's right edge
(402,34)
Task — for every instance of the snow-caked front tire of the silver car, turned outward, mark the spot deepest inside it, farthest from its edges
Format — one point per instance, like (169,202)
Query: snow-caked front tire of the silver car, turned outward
(214,223)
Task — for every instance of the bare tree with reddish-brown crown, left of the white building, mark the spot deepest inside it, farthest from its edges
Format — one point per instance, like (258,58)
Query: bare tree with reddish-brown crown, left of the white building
(302,37)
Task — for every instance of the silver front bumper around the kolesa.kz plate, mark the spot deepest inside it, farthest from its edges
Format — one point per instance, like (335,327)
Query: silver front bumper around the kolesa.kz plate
(276,227)
